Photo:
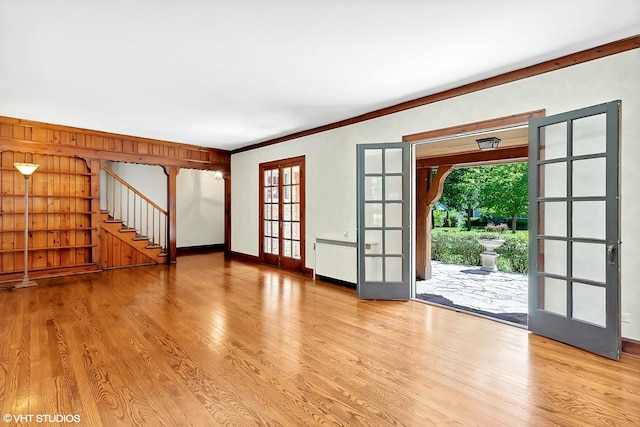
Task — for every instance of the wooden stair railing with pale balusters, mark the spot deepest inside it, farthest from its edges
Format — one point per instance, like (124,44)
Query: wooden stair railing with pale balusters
(136,211)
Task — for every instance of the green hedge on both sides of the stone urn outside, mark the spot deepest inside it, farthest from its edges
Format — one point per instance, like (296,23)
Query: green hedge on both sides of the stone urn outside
(462,247)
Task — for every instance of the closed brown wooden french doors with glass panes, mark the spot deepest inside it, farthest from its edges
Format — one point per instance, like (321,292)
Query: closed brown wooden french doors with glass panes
(282,218)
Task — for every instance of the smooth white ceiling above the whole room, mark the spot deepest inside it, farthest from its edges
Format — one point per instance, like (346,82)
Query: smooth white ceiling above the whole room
(227,74)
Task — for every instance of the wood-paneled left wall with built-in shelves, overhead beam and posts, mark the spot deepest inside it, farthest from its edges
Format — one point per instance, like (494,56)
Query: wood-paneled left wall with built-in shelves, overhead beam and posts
(64,222)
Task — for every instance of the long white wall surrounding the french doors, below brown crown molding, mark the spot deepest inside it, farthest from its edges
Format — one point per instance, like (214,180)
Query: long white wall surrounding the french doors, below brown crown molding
(330,156)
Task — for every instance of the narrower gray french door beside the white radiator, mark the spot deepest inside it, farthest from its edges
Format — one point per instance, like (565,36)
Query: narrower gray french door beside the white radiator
(383,221)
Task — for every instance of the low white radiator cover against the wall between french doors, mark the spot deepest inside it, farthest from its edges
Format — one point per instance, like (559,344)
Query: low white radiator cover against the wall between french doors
(337,259)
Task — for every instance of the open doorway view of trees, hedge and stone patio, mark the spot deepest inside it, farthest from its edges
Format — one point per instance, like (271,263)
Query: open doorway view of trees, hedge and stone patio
(479,243)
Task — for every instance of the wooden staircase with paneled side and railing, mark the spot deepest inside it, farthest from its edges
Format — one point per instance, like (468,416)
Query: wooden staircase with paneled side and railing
(133,228)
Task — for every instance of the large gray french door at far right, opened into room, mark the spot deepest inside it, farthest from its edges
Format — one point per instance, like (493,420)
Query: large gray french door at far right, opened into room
(574,292)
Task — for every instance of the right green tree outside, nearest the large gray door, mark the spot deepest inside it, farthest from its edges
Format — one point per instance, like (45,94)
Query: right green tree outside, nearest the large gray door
(505,190)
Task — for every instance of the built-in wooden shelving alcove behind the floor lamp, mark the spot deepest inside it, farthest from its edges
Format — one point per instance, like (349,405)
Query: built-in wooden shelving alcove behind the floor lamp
(59,223)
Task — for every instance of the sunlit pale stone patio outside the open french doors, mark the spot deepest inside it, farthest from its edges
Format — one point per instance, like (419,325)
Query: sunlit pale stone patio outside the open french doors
(497,292)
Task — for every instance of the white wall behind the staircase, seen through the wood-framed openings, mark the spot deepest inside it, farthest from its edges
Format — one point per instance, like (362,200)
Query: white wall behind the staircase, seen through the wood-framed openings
(199,200)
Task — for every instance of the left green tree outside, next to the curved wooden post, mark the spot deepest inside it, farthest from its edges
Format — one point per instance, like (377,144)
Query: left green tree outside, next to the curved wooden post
(462,191)
